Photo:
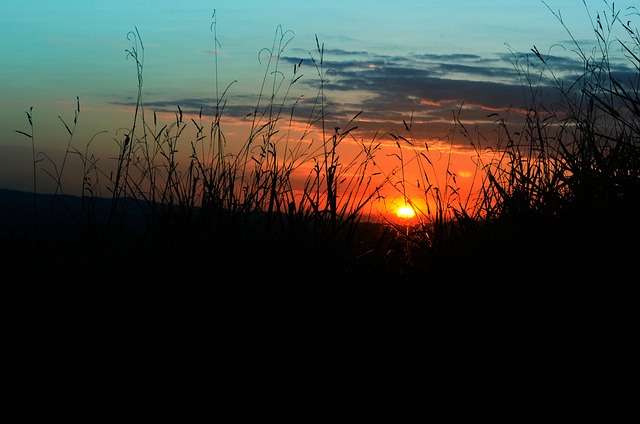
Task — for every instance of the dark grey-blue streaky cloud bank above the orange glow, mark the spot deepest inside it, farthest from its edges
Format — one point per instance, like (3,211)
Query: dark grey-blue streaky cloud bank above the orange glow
(387,90)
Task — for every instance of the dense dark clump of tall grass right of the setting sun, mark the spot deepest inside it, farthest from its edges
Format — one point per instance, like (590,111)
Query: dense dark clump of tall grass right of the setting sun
(563,188)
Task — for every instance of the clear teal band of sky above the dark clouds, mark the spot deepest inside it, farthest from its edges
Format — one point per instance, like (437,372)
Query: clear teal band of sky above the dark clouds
(57,50)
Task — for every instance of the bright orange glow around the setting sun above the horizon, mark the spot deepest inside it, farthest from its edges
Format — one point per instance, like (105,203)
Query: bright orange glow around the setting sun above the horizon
(423,170)
